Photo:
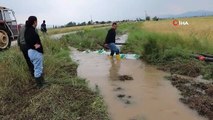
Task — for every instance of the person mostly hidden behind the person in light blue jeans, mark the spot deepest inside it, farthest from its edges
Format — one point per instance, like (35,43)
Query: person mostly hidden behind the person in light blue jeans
(24,48)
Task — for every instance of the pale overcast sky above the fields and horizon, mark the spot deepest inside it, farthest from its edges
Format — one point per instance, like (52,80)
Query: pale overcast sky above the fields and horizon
(60,12)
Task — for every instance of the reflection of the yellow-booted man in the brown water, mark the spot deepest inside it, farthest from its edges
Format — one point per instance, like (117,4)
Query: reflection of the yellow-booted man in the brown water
(114,69)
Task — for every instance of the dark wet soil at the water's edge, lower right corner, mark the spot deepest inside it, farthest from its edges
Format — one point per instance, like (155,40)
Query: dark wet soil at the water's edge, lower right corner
(197,95)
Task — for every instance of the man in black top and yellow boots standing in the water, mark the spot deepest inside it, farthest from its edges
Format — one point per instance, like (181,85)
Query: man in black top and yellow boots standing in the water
(110,41)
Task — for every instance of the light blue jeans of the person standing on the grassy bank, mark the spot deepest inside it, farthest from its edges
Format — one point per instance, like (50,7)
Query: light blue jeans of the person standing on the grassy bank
(37,59)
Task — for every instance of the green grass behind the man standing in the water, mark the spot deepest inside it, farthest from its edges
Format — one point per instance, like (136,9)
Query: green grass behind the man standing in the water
(92,39)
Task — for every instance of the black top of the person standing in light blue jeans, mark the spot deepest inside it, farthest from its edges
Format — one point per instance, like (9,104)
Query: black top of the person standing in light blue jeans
(32,38)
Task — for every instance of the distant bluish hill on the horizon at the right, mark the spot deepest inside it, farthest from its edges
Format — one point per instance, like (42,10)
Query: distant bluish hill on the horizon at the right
(190,14)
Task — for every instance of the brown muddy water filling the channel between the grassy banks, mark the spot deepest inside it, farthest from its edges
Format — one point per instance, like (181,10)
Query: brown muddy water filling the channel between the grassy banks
(146,96)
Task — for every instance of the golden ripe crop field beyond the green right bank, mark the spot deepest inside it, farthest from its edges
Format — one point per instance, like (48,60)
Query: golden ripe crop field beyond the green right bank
(199,27)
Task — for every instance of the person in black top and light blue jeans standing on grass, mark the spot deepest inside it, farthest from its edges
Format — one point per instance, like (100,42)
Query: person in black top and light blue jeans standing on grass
(35,51)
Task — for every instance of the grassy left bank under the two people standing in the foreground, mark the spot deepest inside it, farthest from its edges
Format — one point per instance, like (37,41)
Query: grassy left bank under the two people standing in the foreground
(68,97)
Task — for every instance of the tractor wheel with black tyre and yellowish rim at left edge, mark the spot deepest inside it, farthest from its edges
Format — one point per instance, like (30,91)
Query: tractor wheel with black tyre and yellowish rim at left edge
(5,40)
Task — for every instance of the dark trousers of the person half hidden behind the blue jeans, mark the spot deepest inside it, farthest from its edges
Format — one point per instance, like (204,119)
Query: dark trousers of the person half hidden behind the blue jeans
(24,50)
